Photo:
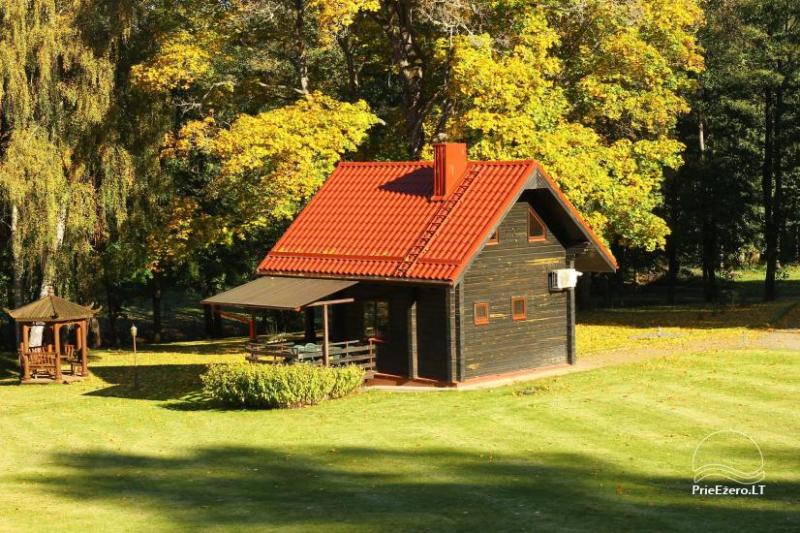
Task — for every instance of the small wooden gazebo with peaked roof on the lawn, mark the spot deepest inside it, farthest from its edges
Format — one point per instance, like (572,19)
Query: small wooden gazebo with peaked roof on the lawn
(43,348)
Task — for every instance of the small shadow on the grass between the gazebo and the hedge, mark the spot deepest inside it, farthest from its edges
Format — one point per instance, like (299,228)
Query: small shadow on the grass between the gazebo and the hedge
(180,383)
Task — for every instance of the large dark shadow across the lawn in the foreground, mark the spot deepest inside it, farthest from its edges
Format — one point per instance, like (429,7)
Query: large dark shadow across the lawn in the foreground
(365,488)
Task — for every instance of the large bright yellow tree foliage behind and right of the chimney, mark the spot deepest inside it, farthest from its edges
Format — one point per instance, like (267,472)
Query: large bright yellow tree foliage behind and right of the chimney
(606,137)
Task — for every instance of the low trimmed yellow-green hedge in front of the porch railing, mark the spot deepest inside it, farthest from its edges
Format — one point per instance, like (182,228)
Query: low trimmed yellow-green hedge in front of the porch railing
(256,386)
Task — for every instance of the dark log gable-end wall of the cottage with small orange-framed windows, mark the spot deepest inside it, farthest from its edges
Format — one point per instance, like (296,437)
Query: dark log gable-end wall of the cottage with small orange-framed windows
(514,267)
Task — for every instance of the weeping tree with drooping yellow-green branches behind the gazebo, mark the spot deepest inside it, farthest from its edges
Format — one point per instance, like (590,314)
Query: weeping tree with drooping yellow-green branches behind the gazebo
(63,175)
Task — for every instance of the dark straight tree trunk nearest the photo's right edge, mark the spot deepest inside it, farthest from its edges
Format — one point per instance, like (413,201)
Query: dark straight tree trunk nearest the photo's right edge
(770,229)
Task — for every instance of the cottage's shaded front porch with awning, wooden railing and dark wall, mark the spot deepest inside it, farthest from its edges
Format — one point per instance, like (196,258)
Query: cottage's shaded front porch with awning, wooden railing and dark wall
(399,333)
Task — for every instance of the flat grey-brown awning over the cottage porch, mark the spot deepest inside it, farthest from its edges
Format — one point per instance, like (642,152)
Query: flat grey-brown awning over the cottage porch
(279,293)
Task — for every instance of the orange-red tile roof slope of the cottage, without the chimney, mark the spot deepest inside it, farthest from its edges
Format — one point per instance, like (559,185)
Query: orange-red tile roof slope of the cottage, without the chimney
(368,218)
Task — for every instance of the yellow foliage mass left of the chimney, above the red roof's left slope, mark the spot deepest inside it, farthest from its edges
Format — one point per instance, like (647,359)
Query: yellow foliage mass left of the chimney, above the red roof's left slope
(268,164)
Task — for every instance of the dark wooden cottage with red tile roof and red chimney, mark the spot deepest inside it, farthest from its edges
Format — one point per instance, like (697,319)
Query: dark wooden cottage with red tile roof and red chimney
(455,269)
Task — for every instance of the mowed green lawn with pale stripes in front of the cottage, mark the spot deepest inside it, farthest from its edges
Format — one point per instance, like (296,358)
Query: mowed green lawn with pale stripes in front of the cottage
(609,449)
